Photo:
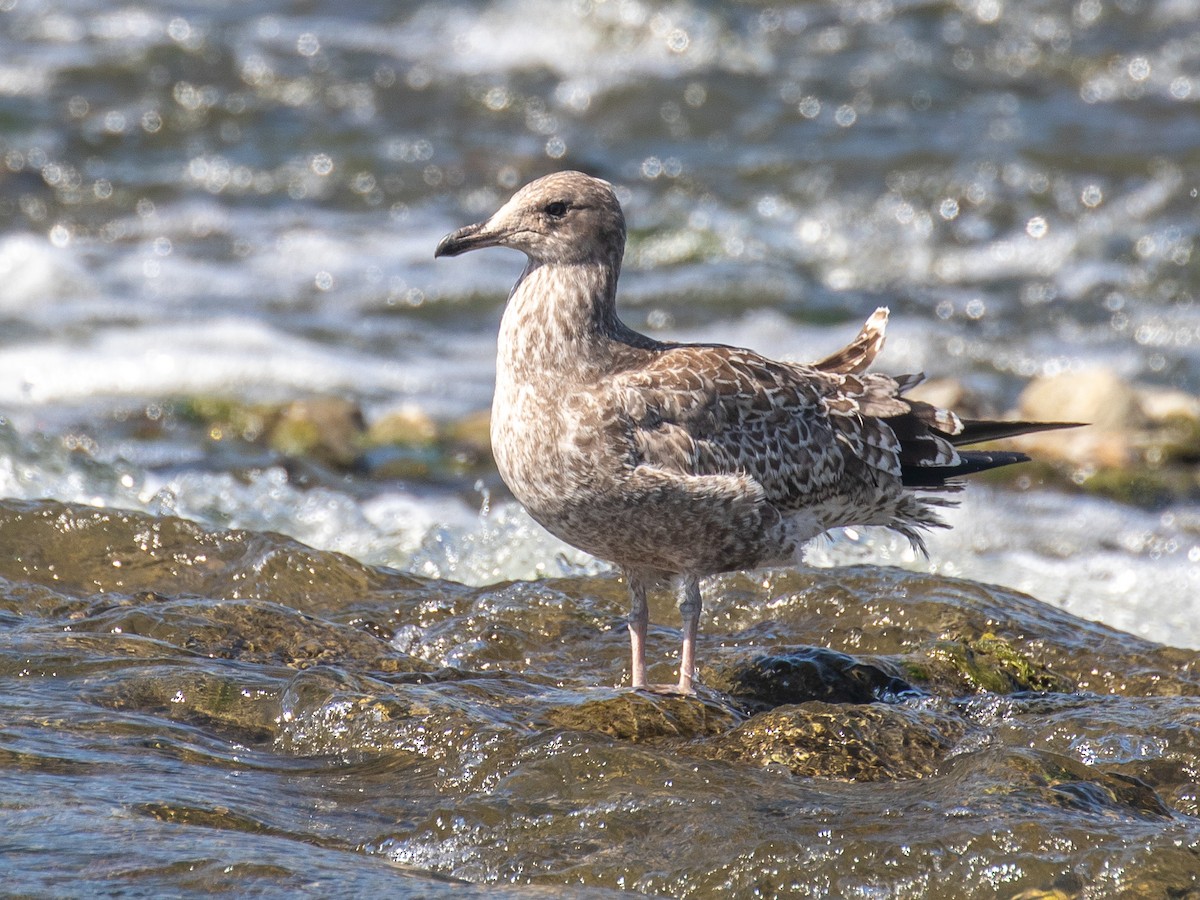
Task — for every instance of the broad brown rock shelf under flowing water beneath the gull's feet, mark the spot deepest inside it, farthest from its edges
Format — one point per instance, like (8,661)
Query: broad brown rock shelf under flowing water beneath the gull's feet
(265,691)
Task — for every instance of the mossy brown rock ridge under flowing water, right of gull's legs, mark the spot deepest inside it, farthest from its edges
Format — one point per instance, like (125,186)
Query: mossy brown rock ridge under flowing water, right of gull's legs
(914,621)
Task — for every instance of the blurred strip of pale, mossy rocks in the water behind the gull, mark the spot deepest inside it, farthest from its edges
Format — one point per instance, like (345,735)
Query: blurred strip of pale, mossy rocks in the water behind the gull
(1142,445)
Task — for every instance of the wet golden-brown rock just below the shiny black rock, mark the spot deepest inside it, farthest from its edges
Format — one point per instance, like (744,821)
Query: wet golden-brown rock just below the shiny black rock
(848,742)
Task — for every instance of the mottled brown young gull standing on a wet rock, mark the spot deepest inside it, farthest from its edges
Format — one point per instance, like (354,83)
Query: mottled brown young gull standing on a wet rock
(679,461)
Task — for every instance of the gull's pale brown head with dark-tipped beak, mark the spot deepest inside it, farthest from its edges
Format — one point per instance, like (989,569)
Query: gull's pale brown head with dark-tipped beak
(565,218)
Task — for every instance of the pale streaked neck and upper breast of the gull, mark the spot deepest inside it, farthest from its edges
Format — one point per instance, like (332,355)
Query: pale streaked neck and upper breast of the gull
(561,321)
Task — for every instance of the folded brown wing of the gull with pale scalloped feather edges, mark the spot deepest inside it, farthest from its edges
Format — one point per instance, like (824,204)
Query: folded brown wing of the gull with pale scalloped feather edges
(803,434)
